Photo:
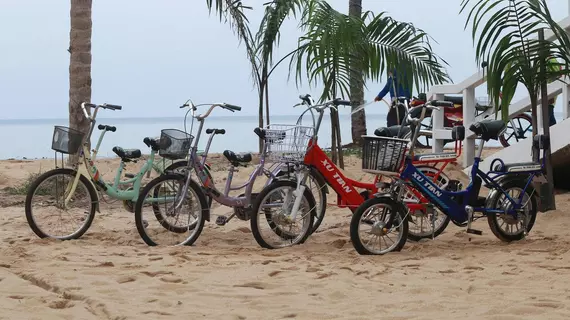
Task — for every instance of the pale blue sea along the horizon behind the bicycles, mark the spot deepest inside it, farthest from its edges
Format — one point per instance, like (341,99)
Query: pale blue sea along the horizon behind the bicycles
(31,138)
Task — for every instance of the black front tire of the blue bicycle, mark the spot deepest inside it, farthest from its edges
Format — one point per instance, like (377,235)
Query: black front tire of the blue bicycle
(397,212)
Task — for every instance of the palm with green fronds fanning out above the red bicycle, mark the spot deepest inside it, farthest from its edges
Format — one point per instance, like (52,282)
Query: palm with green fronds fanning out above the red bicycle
(326,52)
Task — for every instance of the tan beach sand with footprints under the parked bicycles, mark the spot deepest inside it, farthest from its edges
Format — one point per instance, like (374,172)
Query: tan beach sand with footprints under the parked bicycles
(111,274)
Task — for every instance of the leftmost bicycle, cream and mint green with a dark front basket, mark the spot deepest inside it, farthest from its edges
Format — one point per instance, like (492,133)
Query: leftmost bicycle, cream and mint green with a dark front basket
(85,175)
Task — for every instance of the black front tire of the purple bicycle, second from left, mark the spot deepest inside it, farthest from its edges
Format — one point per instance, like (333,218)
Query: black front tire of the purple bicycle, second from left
(139,221)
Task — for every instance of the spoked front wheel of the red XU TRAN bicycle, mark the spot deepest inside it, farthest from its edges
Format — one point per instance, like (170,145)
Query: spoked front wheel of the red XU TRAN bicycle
(272,208)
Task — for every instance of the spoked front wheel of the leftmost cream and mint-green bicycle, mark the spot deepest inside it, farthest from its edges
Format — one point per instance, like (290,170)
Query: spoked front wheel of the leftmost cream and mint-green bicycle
(50,215)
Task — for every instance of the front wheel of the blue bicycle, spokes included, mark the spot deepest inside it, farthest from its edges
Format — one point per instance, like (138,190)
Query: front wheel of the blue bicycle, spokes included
(370,229)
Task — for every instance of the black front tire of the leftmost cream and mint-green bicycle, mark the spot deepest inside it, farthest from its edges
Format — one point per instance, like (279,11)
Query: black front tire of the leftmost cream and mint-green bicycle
(31,192)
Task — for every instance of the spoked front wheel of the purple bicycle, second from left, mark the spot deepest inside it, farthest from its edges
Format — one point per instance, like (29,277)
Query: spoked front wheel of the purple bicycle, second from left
(164,216)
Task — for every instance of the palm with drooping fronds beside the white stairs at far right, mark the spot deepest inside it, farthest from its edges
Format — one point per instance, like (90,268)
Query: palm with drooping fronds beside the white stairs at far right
(507,42)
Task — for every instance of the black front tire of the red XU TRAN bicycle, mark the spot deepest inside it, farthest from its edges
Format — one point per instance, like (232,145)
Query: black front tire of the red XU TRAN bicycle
(255,214)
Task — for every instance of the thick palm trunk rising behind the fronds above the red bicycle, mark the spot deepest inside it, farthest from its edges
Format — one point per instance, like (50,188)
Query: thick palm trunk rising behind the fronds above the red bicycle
(358,120)
